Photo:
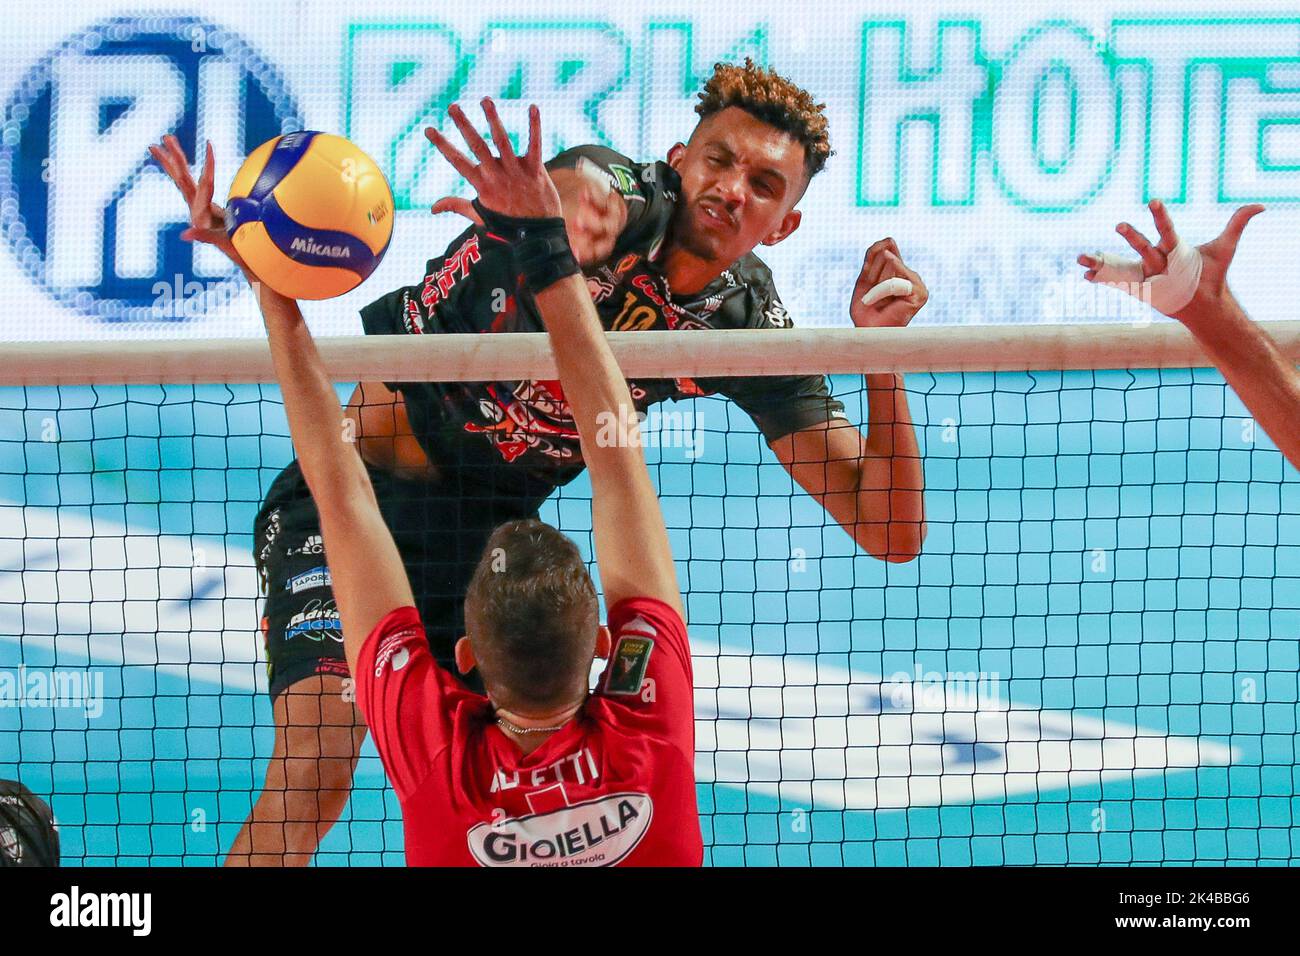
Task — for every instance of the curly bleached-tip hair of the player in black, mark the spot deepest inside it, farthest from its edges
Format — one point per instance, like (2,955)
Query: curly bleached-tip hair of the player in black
(774,100)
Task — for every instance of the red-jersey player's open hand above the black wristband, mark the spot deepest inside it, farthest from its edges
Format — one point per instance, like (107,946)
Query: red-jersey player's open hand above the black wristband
(506,184)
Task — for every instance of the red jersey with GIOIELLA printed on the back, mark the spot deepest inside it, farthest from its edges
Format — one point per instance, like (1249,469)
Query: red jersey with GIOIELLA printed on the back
(616,786)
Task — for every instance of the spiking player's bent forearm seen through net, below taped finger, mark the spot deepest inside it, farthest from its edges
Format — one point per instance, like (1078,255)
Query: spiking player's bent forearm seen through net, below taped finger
(892,481)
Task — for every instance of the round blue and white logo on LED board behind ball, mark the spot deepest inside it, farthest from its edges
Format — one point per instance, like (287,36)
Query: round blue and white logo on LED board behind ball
(83,205)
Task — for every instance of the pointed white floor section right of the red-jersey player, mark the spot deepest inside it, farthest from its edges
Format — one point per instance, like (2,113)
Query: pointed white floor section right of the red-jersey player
(829,738)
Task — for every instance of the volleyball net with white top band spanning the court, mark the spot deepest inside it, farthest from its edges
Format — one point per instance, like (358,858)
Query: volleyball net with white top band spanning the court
(1095,659)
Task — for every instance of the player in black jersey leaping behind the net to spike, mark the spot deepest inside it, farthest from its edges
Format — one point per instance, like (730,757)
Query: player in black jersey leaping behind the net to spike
(664,246)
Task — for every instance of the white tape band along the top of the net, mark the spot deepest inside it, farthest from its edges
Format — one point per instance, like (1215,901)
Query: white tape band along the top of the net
(705,354)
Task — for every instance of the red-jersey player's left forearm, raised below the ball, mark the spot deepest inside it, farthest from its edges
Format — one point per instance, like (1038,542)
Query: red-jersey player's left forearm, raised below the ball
(332,468)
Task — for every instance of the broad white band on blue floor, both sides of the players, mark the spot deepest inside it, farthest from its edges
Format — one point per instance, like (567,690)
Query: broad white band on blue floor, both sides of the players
(782,726)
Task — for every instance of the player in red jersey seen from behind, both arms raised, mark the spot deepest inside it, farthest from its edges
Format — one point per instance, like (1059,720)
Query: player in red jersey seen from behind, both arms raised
(540,771)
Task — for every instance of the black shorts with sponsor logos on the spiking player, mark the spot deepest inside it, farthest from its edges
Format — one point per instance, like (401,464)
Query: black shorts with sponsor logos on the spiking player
(440,529)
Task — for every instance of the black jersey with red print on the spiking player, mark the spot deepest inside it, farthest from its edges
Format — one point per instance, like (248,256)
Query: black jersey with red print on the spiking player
(519,434)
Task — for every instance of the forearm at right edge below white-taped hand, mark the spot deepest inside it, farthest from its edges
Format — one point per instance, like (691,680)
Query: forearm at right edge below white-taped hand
(1251,362)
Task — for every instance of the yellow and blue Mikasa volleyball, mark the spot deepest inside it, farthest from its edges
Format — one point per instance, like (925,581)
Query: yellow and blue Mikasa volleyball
(310,214)
